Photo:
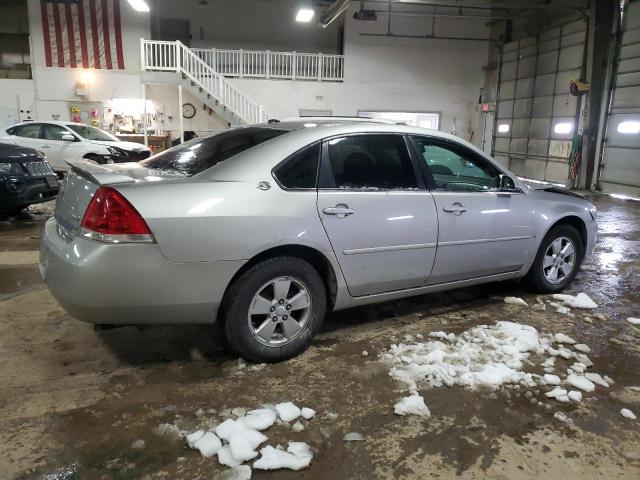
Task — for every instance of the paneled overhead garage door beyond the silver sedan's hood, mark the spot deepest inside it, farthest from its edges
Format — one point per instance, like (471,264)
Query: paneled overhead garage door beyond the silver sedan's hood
(537,117)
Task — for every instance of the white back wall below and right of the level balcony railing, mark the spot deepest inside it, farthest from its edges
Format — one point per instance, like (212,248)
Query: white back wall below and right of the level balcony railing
(384,73)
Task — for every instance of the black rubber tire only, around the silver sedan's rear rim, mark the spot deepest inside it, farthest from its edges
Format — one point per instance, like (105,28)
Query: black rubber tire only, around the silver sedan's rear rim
(238,299)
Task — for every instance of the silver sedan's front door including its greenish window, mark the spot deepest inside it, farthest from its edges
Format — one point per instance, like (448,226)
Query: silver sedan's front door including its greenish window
(483,231)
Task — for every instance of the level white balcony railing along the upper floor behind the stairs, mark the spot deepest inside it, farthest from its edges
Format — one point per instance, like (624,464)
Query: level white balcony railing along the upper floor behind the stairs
(268,64)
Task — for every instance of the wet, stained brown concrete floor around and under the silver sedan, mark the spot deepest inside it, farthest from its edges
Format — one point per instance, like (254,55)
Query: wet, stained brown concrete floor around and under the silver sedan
(72,401)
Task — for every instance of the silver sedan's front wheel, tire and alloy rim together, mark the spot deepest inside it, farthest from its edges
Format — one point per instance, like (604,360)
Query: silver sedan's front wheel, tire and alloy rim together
(557,260)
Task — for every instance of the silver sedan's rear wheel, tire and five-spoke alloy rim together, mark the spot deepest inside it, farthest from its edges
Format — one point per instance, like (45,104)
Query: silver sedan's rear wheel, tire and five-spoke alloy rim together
(274,309)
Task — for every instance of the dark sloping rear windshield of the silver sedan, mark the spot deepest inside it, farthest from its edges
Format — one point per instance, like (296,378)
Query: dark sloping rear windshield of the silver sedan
(199,154)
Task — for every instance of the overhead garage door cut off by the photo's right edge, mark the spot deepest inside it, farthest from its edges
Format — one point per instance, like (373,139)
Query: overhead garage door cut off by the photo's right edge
(620,170)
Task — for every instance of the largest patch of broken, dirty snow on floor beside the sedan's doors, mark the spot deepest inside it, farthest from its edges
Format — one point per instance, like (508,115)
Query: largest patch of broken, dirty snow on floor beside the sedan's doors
(489,357)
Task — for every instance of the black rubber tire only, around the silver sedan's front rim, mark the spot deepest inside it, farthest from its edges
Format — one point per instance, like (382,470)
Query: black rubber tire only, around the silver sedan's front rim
(536,277)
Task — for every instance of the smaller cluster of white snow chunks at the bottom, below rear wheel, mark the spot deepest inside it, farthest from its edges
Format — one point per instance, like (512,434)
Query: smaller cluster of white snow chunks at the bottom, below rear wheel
(236,441)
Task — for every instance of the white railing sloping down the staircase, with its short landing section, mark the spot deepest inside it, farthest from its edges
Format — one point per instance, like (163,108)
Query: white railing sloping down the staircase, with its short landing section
(175,56)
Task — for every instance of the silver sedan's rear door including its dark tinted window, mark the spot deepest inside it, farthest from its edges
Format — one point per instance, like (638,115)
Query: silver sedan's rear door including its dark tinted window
(379,217)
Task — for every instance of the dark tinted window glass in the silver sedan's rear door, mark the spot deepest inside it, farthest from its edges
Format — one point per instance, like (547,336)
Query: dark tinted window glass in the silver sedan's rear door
(376,161)
